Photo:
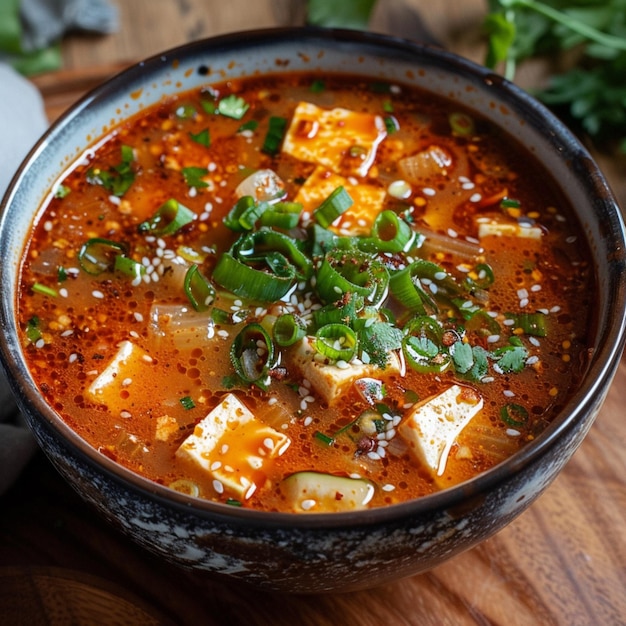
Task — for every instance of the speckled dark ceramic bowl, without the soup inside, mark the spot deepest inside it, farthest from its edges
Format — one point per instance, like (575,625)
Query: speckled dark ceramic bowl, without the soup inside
(319,552)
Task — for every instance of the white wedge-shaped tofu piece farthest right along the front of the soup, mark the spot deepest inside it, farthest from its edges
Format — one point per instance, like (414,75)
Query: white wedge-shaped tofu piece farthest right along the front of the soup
(434,425)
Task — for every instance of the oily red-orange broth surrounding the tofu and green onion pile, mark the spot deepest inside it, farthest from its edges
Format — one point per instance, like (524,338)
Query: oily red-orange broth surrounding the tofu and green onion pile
(454,182)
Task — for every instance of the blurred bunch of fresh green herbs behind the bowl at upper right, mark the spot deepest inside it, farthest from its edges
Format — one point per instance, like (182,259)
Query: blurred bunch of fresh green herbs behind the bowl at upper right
(593,92)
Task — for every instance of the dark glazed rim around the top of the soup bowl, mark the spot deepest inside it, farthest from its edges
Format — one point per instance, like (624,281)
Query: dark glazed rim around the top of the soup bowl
(603,362)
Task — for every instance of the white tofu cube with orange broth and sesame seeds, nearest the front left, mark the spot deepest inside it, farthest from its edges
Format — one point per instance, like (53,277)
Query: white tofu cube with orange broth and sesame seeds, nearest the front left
(233,447)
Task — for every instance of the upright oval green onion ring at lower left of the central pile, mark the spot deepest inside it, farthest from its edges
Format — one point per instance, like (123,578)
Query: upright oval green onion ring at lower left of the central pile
(252,354)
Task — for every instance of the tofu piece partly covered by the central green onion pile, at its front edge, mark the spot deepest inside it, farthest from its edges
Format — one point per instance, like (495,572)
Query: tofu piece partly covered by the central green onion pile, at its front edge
(327,379)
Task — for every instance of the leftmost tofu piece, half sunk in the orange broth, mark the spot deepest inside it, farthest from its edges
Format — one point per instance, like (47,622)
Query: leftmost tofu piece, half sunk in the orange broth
(114,386)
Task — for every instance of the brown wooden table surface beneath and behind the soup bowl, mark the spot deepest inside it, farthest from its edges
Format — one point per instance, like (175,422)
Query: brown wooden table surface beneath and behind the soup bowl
(562,562)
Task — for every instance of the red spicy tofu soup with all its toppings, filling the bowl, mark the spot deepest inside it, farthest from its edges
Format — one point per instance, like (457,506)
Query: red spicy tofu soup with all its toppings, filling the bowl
(306,294)
